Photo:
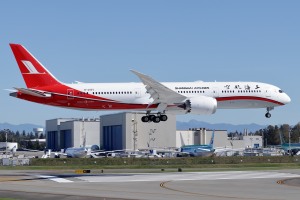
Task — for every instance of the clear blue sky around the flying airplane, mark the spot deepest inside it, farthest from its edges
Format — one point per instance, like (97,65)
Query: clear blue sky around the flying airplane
(170,40)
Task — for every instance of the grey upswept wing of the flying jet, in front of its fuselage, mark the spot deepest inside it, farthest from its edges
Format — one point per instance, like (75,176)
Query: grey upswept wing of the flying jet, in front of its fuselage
(161,94)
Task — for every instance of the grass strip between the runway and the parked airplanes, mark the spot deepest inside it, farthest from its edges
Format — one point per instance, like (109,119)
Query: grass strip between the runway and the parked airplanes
(164,164)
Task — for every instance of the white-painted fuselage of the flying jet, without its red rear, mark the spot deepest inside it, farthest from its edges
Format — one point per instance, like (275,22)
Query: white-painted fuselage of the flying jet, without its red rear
(229,95)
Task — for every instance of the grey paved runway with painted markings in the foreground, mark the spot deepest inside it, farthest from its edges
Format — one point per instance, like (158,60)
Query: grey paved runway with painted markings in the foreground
(246,185)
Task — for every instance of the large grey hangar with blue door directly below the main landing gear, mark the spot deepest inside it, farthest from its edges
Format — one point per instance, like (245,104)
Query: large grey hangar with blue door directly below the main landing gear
(127,131)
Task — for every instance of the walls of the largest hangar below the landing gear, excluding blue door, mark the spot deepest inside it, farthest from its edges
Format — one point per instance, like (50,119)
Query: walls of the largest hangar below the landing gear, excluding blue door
(146,135)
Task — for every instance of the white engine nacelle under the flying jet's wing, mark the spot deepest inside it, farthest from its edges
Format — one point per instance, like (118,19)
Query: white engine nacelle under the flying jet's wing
(201,105)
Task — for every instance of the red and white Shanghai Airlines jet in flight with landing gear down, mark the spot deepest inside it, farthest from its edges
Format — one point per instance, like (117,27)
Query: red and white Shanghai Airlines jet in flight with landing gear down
(156,99)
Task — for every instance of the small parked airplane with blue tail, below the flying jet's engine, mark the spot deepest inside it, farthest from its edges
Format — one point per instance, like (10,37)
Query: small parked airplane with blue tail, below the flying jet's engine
(200,150)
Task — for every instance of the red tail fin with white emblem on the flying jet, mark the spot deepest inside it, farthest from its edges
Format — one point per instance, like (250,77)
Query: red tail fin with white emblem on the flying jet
(34,73)
